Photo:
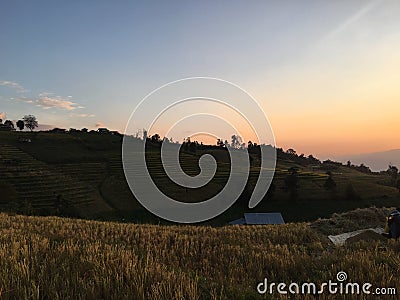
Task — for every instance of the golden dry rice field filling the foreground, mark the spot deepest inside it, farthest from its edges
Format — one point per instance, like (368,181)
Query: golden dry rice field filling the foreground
(56,258)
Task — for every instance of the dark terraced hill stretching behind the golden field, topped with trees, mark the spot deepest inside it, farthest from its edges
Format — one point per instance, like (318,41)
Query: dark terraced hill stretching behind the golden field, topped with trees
(80,174)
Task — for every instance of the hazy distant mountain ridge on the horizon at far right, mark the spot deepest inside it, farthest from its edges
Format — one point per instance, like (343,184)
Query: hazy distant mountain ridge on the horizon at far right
(377,161)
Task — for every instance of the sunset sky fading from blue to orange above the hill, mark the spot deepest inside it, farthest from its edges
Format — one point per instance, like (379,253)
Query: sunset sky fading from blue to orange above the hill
(326,73)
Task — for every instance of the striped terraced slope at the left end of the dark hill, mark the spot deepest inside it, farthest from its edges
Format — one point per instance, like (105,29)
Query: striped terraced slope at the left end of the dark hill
(45,189)
